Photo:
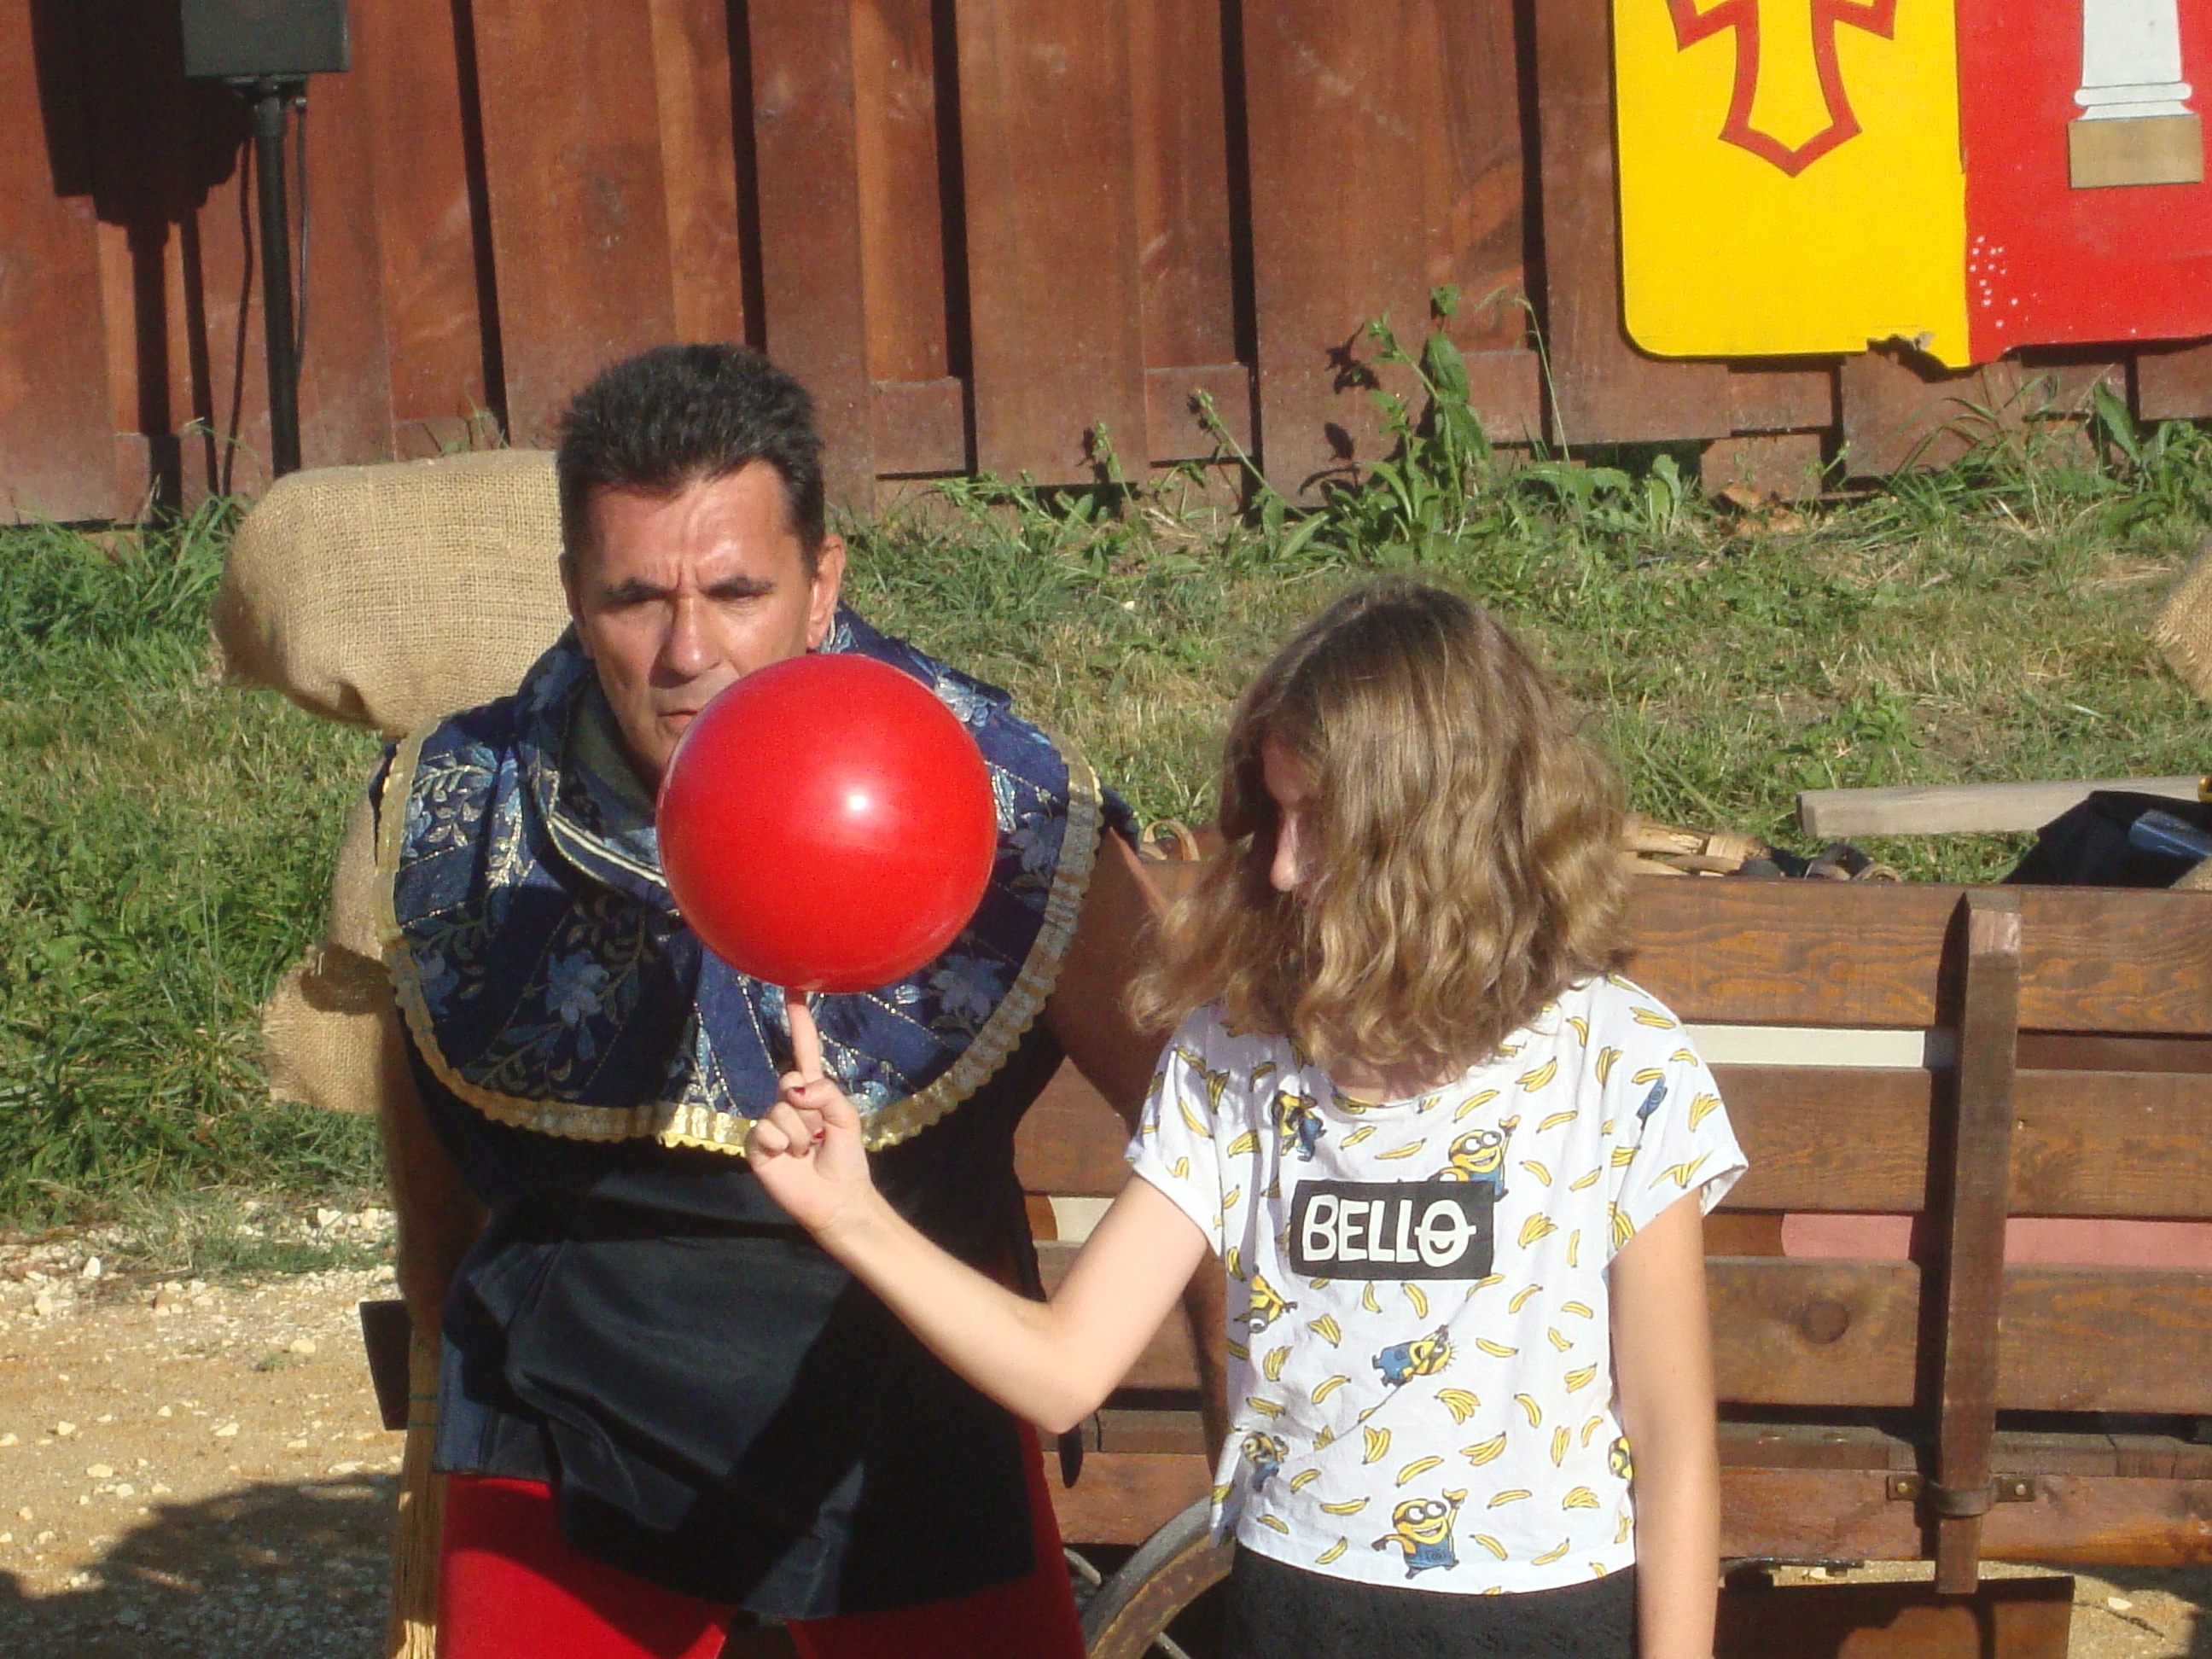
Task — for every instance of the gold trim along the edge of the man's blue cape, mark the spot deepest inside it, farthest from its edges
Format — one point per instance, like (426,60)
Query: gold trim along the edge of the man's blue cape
(682,1125)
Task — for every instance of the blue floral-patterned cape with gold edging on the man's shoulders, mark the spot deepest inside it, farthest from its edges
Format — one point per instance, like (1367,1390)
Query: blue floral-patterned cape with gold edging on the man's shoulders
(552,985)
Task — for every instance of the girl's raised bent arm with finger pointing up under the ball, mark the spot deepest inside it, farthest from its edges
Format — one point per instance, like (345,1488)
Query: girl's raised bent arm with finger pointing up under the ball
(1043,1361)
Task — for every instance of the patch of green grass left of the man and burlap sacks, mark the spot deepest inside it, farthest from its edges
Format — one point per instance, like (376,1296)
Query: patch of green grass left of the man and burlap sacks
(165,846)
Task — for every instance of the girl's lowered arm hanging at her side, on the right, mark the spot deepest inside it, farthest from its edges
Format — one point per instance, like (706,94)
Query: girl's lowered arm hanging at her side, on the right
(1662,1361)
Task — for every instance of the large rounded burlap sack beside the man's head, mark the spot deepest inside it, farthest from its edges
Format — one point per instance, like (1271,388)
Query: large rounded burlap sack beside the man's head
(390,596)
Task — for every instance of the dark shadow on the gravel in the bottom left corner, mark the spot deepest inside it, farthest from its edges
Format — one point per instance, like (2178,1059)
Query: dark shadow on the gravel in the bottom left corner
(282,1569)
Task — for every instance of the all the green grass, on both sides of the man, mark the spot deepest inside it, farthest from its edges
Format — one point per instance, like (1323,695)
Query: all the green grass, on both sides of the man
(165,842)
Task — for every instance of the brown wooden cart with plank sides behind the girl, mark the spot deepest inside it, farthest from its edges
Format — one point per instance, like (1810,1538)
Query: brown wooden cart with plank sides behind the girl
(1948,1054)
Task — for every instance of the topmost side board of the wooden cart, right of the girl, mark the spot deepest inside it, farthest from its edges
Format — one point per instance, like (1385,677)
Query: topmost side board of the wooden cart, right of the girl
(1839,954)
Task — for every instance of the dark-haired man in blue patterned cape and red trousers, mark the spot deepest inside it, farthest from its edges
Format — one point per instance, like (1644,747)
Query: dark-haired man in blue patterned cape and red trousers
(660,1404)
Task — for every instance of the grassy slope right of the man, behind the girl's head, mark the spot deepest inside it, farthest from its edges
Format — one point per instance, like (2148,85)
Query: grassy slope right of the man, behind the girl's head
(1974,625)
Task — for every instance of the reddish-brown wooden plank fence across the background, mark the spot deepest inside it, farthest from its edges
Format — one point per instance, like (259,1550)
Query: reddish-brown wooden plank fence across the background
(979,229)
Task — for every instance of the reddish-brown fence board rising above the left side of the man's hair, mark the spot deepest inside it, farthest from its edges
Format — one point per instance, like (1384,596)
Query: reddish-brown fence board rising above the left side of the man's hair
(578,198)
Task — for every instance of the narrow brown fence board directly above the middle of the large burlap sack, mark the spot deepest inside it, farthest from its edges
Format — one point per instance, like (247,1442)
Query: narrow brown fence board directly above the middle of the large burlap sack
(435,260)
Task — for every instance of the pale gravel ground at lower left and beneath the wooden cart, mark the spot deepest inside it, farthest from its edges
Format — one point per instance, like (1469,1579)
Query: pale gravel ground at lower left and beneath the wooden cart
(196,1472)
